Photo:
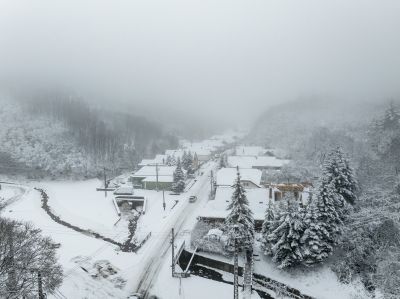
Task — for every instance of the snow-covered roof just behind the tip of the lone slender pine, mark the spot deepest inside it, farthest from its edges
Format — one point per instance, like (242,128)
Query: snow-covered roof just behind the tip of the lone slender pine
(227,176)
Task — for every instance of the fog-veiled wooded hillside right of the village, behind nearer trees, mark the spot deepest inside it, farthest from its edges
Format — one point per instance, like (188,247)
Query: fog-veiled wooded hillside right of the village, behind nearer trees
(287,125)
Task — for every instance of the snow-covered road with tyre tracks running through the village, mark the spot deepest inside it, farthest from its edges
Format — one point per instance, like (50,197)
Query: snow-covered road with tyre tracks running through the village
(157,249)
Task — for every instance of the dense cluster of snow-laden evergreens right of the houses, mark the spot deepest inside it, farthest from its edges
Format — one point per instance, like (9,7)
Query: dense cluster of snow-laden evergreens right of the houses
(293,234)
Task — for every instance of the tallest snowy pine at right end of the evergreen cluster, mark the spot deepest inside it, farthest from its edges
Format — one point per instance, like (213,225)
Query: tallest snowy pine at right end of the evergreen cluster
(337,170)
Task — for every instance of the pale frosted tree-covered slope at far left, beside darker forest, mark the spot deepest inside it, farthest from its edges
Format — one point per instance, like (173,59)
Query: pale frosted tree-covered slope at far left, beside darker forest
(36,143)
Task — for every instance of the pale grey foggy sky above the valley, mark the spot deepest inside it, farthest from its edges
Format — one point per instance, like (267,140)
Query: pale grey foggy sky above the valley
(211,57)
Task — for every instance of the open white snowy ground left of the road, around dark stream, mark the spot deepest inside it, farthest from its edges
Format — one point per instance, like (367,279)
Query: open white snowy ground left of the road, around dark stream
(84,258)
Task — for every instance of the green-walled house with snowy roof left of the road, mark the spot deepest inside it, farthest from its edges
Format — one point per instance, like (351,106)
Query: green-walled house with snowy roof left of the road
(153,177)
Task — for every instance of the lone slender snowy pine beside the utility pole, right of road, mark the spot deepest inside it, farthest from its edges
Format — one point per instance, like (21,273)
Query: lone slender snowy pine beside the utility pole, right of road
(240,222)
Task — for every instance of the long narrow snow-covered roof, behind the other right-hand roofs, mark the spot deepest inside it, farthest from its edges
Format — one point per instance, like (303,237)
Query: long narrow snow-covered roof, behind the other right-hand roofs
(256,161)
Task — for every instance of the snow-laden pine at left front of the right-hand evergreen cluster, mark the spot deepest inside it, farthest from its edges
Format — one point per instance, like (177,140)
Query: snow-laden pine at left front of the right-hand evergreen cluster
(287,249)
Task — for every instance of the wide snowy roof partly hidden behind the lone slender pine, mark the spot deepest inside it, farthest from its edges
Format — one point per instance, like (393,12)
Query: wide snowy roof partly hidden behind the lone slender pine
(217,208)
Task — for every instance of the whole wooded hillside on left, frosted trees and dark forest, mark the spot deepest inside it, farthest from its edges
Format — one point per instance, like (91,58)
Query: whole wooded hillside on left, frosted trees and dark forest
(56,136)
